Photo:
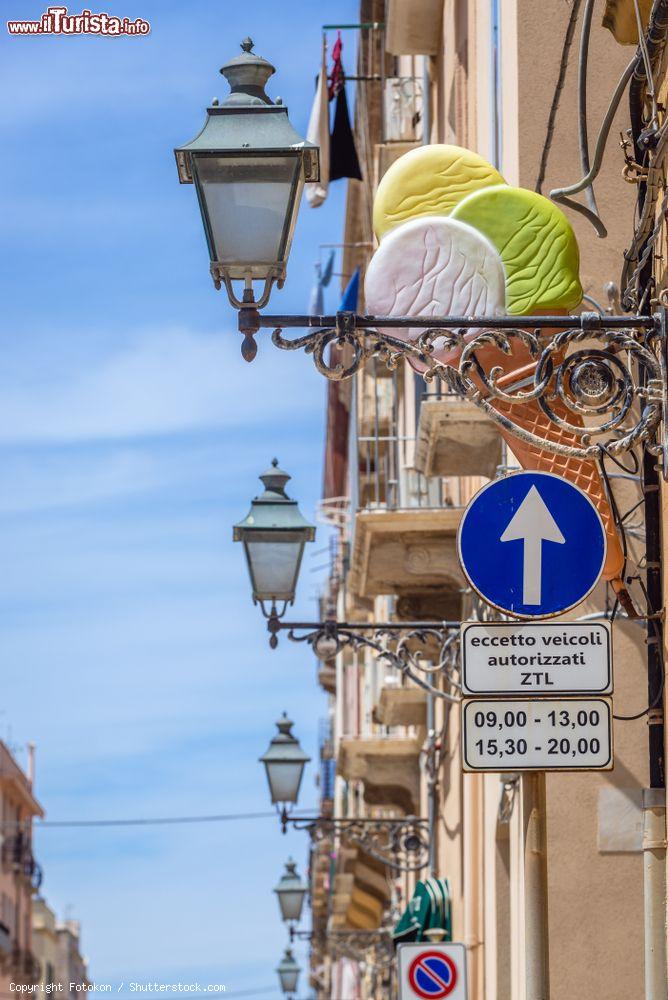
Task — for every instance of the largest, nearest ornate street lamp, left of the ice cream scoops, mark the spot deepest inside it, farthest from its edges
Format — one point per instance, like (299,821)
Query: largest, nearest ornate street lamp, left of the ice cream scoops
(249,167)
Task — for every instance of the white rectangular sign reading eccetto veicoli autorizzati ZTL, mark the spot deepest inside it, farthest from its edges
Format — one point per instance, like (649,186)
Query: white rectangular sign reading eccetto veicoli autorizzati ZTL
(531,659)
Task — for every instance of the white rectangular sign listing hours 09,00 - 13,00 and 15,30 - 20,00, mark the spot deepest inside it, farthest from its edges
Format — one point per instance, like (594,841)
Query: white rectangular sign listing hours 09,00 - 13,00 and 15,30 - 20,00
(537,734)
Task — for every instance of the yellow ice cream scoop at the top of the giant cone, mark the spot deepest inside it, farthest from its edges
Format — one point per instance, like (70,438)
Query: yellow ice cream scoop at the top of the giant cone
(430,180)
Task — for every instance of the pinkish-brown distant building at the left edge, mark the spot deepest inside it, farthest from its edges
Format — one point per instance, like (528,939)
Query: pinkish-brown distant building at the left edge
(20,875)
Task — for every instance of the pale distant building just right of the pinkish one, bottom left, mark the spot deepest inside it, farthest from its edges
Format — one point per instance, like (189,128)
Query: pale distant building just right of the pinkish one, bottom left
(57,949)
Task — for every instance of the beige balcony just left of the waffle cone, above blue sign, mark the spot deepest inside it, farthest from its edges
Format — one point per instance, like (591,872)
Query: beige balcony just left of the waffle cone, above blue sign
(455,438)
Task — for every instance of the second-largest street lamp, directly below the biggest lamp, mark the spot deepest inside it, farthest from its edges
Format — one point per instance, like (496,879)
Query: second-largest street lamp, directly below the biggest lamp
(274,534)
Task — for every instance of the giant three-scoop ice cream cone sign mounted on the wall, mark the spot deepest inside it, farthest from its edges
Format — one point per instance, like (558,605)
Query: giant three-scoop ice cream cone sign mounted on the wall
(456,240)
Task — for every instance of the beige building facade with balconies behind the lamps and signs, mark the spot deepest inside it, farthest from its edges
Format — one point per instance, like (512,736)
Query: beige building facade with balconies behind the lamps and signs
(507,79)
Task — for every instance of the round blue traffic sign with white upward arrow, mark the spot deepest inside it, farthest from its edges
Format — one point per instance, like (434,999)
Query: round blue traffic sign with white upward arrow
(532,544)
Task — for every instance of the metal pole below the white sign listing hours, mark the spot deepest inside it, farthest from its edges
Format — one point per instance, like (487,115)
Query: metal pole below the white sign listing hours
(537,963)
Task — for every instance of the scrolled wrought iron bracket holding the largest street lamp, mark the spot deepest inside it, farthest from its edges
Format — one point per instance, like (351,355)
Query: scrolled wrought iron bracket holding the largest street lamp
(584,379)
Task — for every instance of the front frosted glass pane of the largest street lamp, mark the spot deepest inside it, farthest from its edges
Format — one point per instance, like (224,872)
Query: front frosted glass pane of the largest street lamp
(248,201)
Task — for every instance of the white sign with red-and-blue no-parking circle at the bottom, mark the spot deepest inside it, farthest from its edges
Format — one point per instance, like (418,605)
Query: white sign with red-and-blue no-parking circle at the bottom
(432,970)
